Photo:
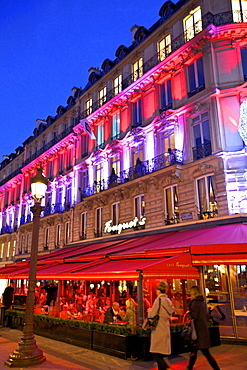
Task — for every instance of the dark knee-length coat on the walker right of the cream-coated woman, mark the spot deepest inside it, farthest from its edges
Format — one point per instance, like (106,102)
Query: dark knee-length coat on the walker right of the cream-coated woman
(198,312)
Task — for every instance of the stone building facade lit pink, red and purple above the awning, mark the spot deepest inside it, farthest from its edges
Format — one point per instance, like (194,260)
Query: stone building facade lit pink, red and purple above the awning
(155,140)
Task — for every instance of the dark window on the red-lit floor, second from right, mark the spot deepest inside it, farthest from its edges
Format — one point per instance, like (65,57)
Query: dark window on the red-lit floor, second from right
(196,77)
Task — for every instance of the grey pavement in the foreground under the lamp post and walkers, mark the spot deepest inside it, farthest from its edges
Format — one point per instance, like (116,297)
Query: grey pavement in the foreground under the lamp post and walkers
(65,356)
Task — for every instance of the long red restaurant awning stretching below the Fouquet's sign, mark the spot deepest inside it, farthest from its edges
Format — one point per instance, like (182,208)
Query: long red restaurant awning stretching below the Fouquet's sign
(151,253)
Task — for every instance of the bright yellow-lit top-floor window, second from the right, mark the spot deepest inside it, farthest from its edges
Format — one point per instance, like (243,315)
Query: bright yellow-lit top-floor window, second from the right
(192,24)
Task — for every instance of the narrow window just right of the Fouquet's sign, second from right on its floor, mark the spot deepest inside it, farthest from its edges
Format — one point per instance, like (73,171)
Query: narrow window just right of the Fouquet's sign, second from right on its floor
(171,205)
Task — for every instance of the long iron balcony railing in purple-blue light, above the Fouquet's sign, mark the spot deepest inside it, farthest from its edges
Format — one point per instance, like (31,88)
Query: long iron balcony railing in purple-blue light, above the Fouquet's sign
(174,156)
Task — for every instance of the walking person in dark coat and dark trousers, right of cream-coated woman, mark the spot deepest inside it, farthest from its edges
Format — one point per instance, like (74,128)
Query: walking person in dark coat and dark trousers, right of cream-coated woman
(198,312)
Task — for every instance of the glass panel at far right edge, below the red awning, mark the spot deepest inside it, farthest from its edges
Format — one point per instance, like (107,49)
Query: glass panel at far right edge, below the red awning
(239,286)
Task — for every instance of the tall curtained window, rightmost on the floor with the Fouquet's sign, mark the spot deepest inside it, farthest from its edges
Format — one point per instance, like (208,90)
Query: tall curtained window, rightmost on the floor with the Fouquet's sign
(206,200)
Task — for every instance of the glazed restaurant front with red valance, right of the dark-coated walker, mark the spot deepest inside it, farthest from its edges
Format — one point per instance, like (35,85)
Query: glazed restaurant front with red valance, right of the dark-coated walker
(223,270)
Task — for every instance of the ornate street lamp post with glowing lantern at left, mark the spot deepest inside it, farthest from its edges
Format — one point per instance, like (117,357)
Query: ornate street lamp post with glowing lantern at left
(27,352)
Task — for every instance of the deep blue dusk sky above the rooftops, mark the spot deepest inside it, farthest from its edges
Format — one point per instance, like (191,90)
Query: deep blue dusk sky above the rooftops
(47,47)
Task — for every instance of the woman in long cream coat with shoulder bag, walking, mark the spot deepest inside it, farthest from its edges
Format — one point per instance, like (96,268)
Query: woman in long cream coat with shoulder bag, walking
(160,346)
